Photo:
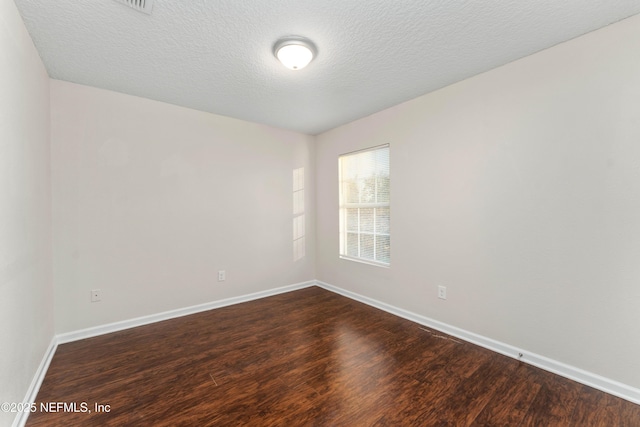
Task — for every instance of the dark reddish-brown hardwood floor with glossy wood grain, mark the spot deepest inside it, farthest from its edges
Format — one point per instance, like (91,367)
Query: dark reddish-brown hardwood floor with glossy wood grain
(308,357)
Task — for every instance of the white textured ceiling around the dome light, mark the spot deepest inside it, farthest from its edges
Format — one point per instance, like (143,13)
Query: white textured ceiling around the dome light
(216,55)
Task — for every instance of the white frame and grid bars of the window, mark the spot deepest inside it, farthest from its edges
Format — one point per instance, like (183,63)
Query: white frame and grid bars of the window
(344,207)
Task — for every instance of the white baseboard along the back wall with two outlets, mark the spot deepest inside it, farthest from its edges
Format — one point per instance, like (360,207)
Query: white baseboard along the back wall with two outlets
(158,317)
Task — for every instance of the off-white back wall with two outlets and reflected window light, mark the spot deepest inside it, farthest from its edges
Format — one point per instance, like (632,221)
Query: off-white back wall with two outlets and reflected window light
(151,200)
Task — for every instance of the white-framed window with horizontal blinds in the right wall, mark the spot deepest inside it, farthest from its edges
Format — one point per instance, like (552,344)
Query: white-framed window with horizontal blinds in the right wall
(364,206)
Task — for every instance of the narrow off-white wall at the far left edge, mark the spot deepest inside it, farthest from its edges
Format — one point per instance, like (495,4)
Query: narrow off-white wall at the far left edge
(26,310)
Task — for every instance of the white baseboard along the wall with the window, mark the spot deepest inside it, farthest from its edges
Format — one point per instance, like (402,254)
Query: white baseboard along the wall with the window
(607,385)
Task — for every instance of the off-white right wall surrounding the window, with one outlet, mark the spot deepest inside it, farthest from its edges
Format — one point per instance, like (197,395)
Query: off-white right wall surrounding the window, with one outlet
(518,189)
